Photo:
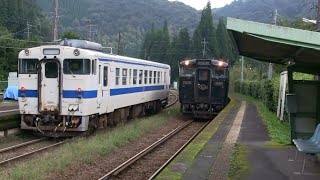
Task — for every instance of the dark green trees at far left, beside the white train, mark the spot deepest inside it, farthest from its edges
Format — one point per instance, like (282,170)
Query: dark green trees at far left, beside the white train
(15,16)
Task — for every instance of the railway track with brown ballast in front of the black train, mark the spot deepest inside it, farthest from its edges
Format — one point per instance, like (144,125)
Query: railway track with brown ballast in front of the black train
(157,153)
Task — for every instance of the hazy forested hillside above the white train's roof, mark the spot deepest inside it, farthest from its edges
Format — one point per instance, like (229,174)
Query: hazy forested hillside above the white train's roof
(131,18)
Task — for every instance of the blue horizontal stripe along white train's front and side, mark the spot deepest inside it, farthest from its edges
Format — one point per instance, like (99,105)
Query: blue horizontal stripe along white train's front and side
(94,93)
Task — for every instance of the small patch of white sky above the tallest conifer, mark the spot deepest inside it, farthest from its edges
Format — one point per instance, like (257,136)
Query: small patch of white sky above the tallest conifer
(200,4)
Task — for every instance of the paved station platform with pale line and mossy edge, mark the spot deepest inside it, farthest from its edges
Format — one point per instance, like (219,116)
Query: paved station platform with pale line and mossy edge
(239,124)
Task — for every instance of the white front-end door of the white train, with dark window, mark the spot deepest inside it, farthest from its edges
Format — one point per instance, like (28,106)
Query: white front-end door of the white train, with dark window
(49,86)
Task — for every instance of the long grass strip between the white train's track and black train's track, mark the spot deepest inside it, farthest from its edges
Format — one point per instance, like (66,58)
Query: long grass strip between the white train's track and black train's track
(87,150)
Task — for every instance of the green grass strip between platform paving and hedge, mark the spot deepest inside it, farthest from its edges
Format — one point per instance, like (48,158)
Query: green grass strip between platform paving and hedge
(279,131)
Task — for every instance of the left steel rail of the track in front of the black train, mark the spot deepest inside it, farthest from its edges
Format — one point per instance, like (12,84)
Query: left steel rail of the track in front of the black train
(135,158)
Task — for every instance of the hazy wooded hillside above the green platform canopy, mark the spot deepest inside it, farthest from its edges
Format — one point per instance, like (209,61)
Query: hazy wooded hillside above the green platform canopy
(262,10)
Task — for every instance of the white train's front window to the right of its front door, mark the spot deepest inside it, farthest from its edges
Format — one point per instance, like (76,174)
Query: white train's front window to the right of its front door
(76,66)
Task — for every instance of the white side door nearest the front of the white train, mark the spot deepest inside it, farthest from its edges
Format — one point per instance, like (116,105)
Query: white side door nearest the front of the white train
(104,87)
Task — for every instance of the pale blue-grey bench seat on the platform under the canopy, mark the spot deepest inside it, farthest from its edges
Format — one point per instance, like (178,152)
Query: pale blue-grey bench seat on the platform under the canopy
(309,146)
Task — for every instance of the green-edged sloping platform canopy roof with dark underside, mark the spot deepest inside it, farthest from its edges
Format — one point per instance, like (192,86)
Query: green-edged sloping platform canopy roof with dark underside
(276,44)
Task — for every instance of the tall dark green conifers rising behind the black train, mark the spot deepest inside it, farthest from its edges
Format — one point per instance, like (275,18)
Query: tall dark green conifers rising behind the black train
(158,47)
